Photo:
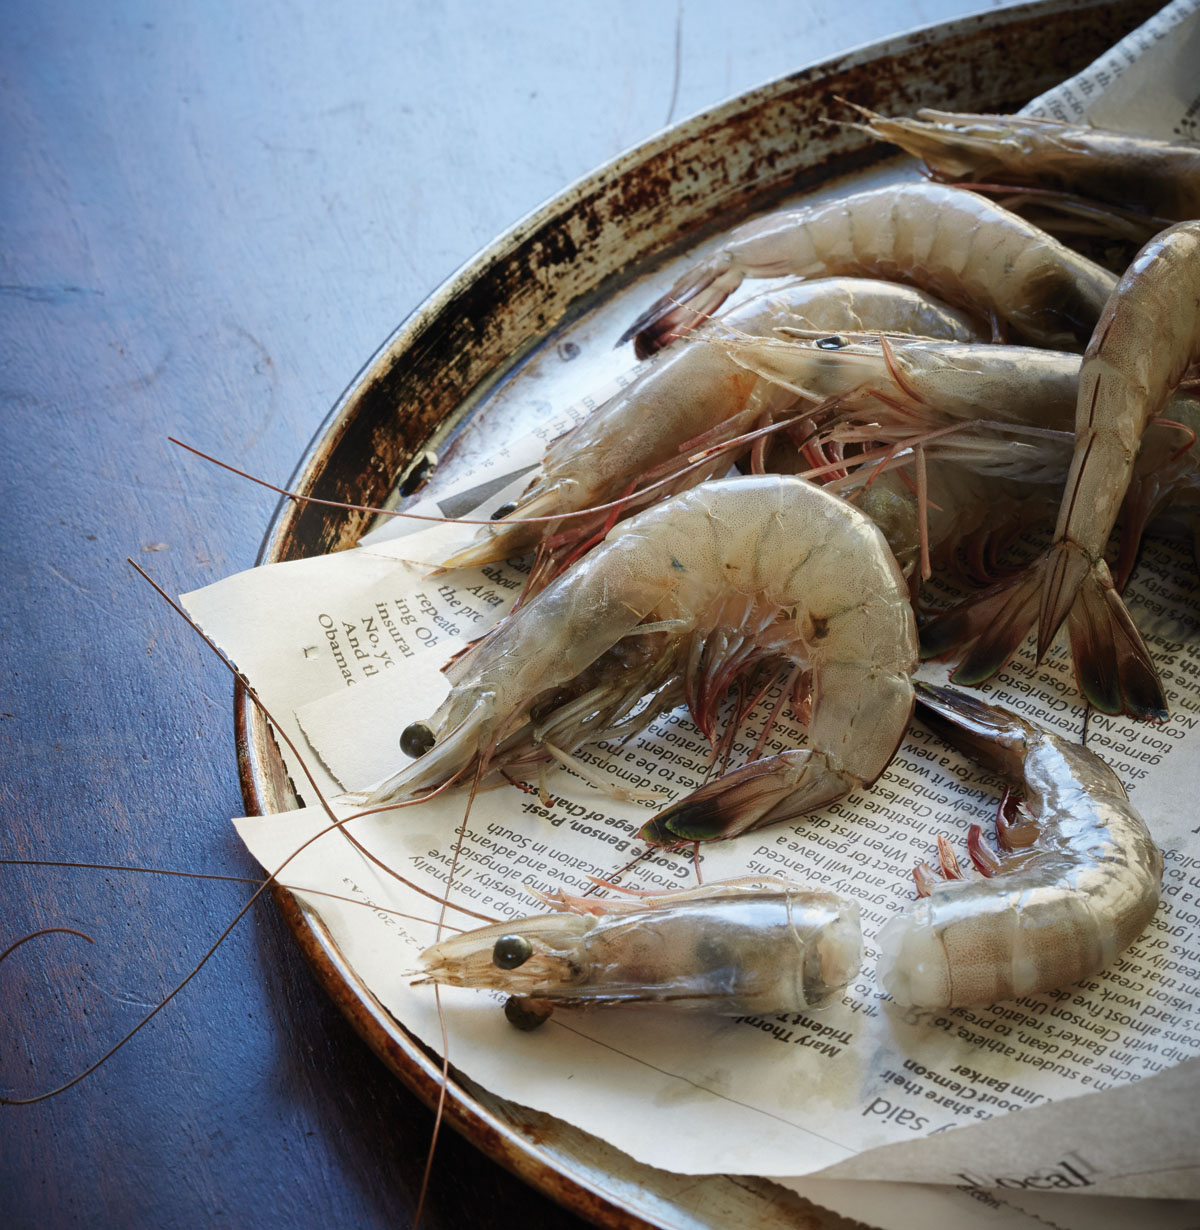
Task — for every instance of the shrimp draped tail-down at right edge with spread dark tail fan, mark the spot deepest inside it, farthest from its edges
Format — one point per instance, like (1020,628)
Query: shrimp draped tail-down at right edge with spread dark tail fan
(1144,346)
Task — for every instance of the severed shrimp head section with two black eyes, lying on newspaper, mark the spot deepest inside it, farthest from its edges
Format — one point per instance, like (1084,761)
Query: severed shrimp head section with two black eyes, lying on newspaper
(732,949)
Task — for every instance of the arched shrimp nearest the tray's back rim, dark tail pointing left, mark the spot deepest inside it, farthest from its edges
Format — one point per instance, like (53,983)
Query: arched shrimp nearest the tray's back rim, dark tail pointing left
(946,240)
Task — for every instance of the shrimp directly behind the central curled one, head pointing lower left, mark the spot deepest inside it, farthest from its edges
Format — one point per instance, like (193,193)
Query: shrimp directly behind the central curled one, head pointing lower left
(684,398)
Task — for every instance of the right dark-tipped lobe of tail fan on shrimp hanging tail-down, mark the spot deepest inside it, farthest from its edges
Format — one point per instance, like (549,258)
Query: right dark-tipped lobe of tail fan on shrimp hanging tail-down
(1112,664)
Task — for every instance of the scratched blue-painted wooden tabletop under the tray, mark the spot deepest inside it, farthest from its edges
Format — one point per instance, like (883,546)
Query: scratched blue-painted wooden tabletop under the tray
(212,215)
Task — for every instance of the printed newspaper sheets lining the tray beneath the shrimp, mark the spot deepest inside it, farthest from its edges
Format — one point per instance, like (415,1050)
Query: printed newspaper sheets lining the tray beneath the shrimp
(347,650)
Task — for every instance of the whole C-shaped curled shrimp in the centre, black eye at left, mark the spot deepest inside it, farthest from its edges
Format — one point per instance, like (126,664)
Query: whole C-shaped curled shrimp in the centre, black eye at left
(733,580)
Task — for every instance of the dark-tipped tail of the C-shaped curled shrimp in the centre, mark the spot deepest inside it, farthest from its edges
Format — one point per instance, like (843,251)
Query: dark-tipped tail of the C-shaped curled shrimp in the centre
(765,792)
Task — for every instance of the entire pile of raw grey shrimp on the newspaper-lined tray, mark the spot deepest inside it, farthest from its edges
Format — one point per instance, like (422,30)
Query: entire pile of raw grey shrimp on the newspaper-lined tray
(926,371)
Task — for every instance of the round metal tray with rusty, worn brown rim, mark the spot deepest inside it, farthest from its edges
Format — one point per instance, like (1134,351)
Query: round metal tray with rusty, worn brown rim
(551,290)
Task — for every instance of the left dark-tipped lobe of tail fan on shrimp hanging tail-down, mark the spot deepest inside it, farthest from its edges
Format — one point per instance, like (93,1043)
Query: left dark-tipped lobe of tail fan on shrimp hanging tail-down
(985,632)
